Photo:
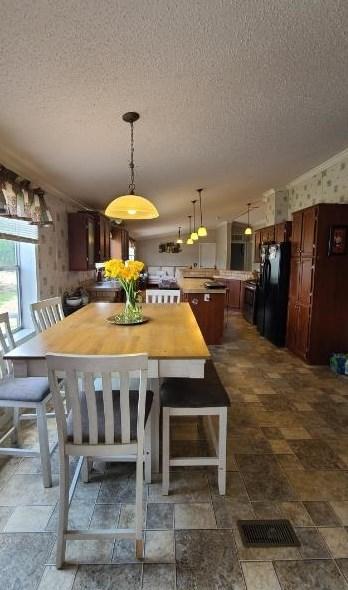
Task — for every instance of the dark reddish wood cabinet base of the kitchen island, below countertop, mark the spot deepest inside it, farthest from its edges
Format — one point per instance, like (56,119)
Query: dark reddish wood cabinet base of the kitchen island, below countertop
(208,309)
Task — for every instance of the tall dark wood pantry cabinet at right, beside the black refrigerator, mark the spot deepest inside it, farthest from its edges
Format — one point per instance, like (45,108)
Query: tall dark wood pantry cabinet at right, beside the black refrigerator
(318,292)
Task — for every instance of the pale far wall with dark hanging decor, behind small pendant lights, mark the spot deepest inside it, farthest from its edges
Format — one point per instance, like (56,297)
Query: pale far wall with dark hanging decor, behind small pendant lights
(147,251)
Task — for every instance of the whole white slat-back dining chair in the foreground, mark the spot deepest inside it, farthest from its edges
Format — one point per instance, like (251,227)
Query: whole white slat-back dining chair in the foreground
(105,424)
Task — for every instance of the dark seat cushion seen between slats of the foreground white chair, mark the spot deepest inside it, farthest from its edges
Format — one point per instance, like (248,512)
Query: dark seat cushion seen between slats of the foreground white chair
(133,408)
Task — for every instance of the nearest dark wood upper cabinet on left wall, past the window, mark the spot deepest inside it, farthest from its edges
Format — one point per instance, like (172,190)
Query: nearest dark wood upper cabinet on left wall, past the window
(89,239)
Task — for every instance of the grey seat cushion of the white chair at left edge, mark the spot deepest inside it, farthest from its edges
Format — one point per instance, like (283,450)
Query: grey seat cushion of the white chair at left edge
(24,389)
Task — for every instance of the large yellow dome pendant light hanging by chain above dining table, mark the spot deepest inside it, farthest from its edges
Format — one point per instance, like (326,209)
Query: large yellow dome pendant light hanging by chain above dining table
(131,206)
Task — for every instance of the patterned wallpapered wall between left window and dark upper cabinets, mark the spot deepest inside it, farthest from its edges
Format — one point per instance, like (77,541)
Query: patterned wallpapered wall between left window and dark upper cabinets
(54,276)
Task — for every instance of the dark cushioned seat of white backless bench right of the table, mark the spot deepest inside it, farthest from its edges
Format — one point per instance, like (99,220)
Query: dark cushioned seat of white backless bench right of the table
(177,392)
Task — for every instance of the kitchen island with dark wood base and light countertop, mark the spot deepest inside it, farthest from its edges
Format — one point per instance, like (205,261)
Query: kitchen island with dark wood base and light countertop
(207,305)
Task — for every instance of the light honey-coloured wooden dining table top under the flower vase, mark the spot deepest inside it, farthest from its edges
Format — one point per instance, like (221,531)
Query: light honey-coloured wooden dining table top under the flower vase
(171,333)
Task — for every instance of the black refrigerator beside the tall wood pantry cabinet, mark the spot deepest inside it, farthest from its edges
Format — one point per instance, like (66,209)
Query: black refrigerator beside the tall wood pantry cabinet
(272,303)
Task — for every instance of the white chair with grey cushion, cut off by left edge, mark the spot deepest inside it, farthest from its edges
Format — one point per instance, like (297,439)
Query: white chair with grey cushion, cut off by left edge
(23,392)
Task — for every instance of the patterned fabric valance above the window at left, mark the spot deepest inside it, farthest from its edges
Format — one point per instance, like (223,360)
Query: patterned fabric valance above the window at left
(19,201)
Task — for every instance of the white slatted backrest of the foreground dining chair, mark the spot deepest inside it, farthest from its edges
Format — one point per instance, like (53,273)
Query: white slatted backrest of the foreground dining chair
(109,423)
